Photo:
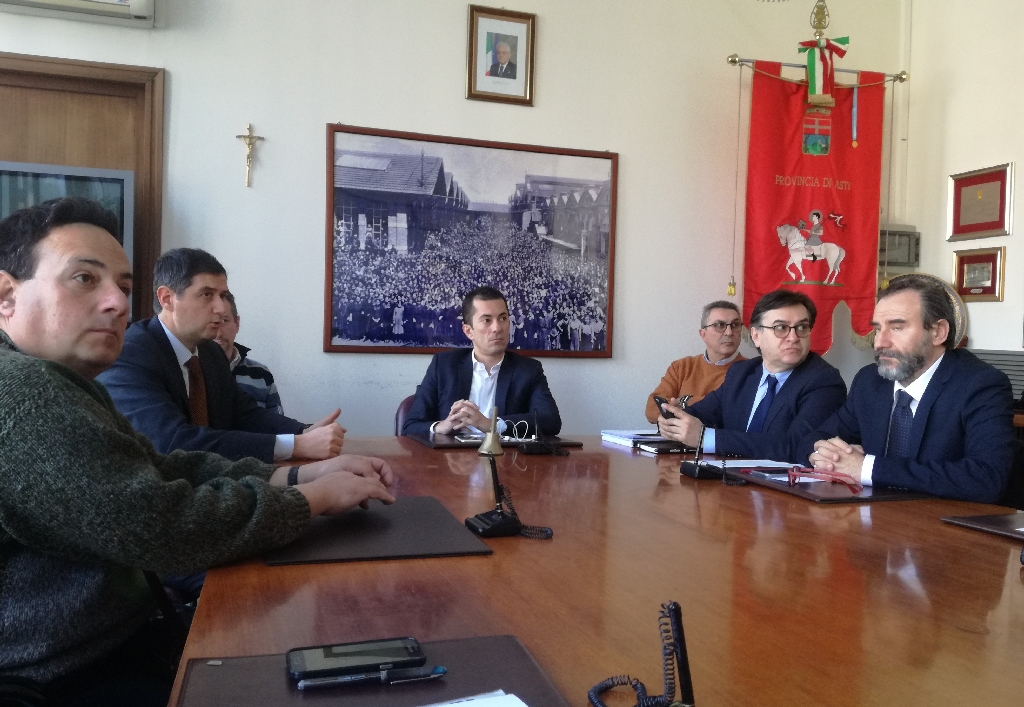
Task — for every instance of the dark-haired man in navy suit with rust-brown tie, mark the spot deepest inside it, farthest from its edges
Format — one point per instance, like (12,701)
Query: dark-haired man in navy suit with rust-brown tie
(176,385)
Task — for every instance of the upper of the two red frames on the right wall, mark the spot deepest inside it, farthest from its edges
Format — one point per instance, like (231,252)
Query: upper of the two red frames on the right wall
(980,203)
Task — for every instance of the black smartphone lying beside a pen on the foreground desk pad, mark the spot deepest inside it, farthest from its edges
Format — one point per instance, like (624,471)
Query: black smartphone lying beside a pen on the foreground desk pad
(364,656)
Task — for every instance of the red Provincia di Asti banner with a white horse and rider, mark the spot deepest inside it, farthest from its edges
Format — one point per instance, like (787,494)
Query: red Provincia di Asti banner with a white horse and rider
(814,189)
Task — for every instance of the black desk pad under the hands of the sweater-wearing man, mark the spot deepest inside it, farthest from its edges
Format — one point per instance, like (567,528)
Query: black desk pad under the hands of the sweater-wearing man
(412,527)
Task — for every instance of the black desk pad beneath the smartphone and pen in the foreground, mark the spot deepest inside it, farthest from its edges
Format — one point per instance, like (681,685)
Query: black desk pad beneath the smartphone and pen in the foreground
(476,667)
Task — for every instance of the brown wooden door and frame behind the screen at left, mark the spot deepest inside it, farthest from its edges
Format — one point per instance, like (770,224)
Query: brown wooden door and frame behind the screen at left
(84,114)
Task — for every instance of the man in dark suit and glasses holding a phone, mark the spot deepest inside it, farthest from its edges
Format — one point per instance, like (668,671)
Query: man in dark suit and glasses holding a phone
(767,404)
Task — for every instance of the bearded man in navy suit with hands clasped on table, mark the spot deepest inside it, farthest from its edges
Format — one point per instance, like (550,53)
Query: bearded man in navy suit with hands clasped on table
(928,418)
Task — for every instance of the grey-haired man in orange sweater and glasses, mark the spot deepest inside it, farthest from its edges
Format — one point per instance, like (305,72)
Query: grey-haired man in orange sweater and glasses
(698,376)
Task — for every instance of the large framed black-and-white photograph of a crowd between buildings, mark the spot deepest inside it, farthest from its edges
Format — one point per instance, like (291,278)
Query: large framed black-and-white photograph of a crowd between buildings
(415,222)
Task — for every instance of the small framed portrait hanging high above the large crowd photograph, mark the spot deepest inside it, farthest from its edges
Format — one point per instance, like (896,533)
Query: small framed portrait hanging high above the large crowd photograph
(501,56)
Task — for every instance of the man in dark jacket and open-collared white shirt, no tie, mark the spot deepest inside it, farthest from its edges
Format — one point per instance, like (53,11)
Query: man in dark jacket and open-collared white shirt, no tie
(462,387)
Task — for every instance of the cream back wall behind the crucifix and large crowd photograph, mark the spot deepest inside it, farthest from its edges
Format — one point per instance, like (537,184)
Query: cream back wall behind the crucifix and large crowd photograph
(647,79)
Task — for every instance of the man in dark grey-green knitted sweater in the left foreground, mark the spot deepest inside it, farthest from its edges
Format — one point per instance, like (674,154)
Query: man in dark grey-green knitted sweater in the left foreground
(87,504)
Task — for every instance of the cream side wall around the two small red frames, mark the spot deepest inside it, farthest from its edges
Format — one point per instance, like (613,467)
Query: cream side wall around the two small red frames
(967,100)
